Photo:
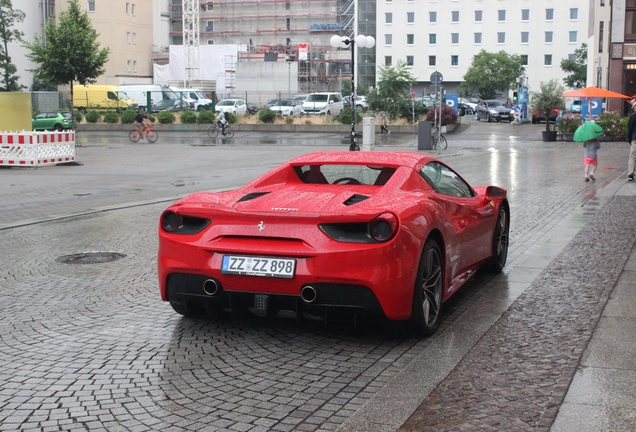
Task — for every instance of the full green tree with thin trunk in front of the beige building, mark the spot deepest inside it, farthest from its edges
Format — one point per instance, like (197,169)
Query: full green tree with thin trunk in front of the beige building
(69,52)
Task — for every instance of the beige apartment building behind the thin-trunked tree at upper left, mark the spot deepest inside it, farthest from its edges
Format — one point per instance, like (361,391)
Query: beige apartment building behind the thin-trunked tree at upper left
(126,27)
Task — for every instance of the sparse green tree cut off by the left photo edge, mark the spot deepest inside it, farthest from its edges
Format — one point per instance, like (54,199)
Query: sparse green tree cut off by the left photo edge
(8,17)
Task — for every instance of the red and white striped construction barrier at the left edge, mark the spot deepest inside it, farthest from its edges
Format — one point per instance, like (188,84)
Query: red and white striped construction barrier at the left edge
(34,149)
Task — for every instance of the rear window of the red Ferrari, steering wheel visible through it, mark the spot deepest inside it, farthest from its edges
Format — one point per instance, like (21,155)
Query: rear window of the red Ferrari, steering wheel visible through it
(345,174)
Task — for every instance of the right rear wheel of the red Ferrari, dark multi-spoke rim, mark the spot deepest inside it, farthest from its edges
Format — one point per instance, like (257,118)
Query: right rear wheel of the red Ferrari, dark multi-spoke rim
(428,290)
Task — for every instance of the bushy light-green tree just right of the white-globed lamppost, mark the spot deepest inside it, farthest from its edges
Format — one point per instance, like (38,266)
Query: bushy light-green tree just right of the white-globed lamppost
(392,96)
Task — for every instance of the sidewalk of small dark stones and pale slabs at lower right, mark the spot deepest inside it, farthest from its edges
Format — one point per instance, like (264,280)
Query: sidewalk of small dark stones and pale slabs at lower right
(563,355)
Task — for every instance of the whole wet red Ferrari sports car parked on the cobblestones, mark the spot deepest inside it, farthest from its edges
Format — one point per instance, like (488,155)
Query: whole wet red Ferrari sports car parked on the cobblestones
(392,234)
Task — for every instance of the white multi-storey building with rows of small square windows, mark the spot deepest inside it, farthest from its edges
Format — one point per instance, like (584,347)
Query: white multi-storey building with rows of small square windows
(444,35)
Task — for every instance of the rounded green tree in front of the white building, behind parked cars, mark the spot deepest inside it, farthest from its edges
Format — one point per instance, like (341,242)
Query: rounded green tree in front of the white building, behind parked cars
(491,73)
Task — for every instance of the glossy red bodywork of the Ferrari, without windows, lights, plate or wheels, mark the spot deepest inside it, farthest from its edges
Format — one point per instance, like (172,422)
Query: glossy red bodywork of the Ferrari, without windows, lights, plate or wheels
(285,218)
